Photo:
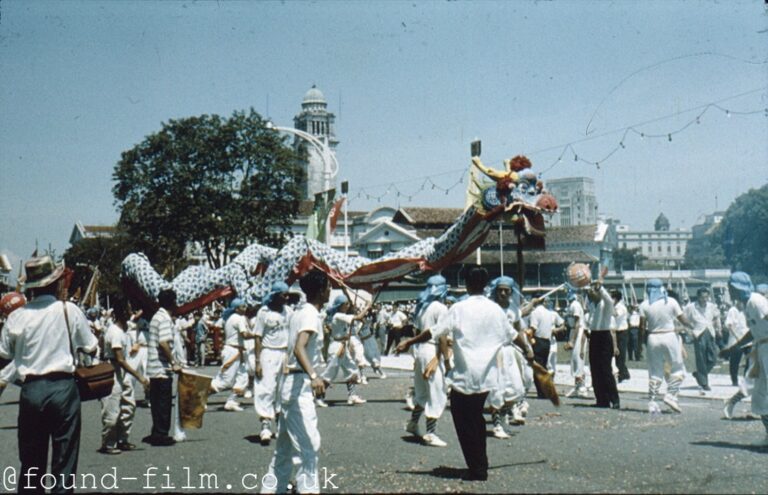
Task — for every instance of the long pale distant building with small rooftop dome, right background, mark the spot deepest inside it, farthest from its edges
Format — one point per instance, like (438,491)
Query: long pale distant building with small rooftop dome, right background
(661,246)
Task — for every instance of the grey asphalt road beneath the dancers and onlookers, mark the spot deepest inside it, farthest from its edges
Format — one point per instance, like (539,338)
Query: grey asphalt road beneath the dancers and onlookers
(571,449)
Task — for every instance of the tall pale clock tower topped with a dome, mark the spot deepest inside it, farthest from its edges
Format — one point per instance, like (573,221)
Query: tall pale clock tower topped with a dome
(315,119)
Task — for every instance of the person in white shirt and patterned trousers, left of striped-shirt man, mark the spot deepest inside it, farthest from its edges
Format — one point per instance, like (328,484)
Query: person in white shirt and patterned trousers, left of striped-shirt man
(119,408)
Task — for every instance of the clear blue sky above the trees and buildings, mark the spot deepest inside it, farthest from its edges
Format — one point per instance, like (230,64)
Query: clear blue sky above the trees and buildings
(411,84)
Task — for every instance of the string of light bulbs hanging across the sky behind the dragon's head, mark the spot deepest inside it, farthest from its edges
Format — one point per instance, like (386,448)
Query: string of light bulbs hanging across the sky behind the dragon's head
(567,150)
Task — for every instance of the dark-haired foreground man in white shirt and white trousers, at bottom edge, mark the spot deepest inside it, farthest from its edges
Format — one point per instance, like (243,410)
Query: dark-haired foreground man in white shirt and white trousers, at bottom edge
(298,434)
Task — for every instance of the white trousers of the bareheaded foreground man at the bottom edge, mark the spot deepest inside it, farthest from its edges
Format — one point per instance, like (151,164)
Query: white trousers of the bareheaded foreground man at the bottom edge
(298,437)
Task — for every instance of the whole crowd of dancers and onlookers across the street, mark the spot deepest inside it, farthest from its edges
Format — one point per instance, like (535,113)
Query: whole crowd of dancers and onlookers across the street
(475,351)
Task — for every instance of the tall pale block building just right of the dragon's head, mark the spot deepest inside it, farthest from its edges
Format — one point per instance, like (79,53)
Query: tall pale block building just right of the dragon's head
(577,202)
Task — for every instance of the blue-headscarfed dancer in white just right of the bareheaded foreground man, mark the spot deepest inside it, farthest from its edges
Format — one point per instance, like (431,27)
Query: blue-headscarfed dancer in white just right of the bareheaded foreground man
(341,317)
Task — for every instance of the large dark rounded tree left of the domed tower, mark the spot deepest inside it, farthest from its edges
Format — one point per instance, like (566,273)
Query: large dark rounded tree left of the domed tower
(221,183)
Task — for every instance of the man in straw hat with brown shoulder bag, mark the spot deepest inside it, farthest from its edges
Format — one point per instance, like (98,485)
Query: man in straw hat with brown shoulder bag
(39,338)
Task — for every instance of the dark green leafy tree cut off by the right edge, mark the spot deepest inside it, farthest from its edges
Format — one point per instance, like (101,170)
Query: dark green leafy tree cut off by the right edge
(744,231)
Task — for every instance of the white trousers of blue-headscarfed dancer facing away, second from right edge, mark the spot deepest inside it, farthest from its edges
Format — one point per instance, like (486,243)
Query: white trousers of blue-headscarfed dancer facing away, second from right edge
(664,347)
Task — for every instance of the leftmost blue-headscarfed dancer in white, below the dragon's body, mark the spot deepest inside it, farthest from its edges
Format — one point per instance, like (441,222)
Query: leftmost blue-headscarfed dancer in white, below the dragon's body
(233,373)
